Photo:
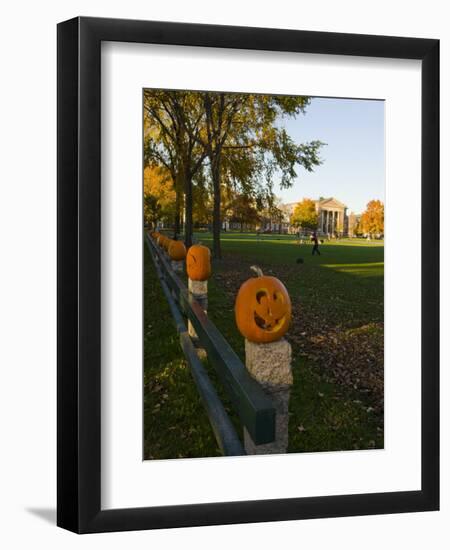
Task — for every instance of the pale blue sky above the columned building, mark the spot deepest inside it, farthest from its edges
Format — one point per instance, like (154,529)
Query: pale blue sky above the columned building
(353,159)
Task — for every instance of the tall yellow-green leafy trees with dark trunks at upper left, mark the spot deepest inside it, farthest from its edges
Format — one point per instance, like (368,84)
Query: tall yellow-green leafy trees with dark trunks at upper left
(238,138)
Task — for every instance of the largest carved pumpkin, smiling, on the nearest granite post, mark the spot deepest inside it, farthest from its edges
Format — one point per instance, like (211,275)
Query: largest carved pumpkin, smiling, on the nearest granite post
(263,308)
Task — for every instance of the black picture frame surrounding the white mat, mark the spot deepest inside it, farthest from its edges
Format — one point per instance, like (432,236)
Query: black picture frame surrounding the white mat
(79,280)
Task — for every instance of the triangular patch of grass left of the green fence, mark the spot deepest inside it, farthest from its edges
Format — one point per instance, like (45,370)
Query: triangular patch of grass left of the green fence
(175,424)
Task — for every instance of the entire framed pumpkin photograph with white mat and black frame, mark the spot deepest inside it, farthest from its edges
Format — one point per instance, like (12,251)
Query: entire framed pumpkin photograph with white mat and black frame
(248,275)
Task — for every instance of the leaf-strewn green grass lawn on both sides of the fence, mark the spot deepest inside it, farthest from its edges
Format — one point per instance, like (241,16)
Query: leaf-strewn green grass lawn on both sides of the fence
(336,335)
